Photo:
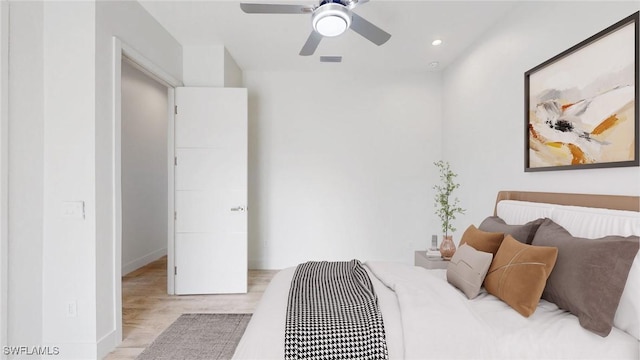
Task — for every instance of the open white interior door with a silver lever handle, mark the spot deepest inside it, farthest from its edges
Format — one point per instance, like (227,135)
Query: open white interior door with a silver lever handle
(211,191)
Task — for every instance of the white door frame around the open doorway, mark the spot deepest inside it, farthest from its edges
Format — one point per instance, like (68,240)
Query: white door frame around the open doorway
(123,51)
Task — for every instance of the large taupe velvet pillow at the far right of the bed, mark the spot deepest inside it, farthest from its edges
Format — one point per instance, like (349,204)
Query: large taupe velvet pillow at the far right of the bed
(590,274)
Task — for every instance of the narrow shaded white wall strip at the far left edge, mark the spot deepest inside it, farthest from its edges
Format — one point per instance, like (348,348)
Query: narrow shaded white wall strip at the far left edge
(26,162)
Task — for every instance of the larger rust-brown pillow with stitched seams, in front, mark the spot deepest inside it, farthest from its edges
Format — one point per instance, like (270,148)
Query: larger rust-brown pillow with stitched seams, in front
(519,273)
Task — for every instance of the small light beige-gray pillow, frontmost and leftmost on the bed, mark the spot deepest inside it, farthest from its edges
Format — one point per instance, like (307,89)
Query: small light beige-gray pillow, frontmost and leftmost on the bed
(467,269)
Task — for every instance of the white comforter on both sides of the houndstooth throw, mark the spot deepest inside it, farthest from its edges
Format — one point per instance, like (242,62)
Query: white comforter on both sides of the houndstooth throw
(426,318)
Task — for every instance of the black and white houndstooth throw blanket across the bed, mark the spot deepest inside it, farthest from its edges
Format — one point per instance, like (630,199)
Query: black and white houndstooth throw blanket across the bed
(333,313)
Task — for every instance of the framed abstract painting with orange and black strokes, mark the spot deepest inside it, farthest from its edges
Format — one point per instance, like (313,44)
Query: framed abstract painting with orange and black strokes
(581,106)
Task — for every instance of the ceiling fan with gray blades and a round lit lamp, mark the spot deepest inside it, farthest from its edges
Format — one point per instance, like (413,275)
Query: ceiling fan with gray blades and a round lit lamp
(330,18)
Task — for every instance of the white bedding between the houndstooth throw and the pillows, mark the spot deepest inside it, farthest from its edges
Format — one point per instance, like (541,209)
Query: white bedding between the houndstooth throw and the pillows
(441,323)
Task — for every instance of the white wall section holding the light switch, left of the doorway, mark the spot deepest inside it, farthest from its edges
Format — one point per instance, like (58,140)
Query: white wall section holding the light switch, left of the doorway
(69,246)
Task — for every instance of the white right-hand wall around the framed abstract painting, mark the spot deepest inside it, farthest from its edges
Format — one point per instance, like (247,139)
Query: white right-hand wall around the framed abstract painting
(483,123)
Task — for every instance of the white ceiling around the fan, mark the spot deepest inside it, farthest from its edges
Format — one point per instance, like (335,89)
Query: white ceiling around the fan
(268,42)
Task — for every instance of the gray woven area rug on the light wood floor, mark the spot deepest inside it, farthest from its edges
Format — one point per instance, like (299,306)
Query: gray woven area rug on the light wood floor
(198,336)
